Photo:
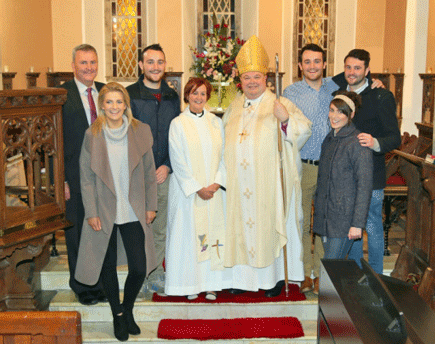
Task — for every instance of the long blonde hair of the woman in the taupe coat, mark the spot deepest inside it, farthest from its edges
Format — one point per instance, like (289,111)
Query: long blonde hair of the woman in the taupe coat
(97,126)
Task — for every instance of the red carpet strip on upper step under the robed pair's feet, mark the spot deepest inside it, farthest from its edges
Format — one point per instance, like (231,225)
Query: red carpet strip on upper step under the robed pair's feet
(248,297)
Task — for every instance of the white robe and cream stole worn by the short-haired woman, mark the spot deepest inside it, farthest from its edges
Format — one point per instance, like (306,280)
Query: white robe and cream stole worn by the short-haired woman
(195,239)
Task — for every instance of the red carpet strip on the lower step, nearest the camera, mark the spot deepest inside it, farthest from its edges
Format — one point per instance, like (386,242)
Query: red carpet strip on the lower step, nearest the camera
(288,327)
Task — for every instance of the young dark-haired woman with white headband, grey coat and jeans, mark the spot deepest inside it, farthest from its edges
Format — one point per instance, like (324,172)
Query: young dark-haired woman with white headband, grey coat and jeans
(344,183)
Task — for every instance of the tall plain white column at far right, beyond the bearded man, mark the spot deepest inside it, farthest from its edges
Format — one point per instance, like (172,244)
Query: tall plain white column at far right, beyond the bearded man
(417,16)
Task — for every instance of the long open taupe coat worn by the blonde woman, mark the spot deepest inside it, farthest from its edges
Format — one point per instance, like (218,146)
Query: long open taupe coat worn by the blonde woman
(99,198)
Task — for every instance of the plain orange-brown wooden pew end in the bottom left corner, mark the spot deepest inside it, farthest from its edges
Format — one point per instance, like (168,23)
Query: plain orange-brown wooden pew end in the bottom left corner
(40,327)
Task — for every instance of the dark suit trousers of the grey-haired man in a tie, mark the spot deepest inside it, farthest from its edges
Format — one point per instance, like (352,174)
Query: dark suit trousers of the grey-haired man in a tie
(76,214)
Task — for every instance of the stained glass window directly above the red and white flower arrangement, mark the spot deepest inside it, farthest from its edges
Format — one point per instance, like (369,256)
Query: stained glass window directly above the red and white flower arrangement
(228,10)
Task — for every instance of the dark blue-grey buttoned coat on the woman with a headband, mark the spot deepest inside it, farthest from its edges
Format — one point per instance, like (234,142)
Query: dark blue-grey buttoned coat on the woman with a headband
(344,184)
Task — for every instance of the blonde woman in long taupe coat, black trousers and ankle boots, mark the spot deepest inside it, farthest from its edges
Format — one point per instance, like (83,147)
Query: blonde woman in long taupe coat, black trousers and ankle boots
(119,191)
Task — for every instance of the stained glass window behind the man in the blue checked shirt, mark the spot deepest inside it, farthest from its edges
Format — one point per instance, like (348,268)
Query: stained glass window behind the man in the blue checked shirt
(314,23)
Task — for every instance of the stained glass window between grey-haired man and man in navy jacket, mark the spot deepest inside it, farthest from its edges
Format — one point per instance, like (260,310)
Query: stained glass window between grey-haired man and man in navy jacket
(127,26)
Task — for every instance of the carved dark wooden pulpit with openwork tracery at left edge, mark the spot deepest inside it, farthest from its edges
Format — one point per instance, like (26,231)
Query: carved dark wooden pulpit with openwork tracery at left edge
(32,202)
